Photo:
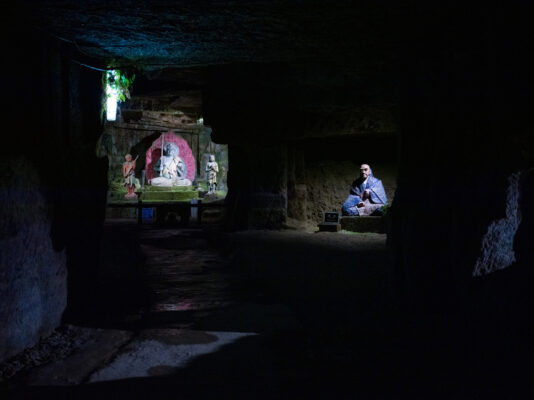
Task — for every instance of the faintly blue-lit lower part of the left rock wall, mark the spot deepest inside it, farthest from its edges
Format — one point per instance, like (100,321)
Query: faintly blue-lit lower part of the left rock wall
(33,275)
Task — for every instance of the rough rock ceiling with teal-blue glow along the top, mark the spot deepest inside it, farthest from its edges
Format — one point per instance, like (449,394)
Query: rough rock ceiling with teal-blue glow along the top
(163,33)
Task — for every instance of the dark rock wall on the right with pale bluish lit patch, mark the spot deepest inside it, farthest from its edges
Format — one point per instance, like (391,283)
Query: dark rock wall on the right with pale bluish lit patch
(463,182)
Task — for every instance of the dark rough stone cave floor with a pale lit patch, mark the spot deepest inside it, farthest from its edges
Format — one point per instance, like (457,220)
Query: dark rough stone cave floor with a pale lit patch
(253,314)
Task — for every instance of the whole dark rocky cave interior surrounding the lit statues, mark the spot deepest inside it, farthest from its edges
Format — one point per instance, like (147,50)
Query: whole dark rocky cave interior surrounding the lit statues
(291,97)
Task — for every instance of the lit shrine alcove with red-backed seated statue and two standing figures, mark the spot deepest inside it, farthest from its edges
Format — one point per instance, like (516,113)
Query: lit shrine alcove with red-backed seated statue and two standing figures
(155,122)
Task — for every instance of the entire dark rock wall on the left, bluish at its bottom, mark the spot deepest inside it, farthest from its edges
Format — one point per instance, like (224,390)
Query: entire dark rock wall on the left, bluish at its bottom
(52,188)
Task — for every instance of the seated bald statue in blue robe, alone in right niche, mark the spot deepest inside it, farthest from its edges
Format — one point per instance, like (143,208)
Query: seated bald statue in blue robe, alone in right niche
(367,195)
